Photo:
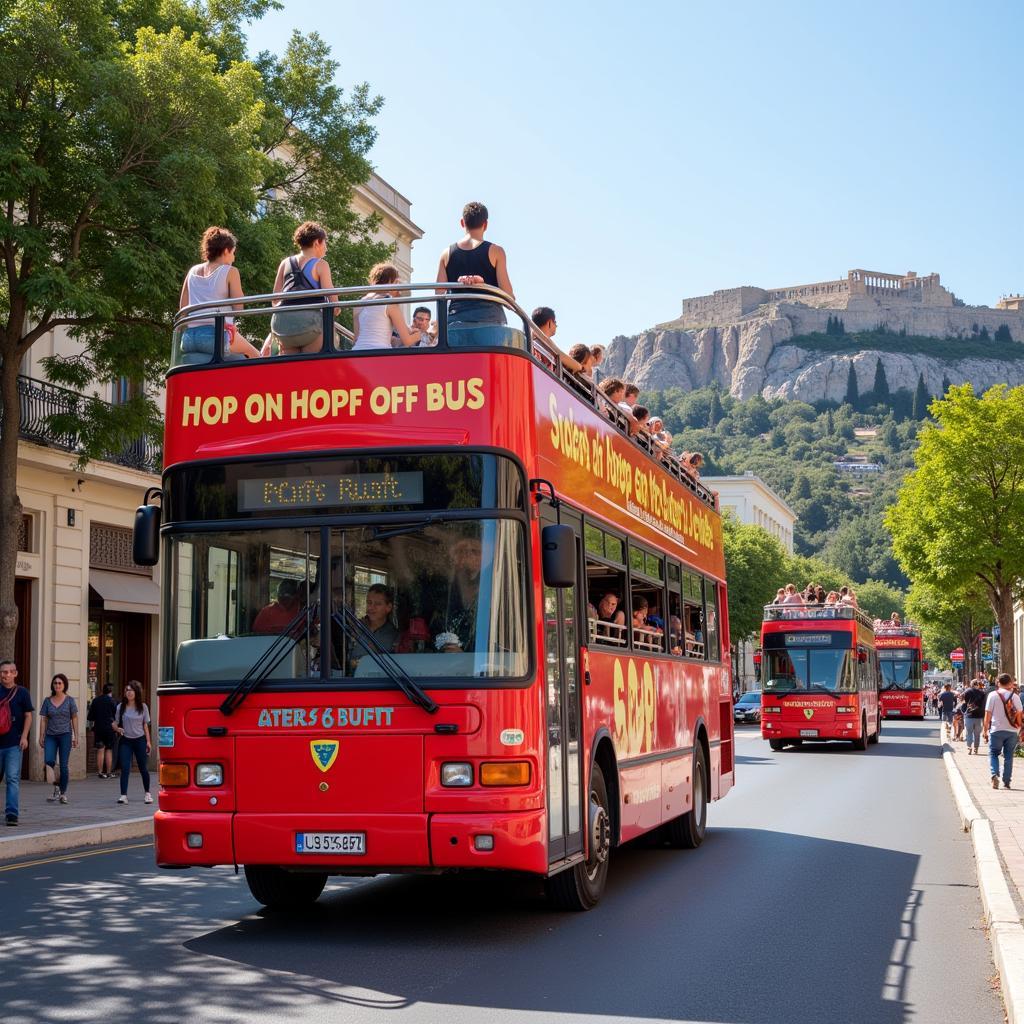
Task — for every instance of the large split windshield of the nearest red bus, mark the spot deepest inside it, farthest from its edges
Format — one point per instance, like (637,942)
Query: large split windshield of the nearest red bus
(444,599)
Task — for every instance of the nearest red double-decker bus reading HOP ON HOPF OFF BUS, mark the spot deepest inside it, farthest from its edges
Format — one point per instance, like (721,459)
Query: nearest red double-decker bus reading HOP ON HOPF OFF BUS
(428,610)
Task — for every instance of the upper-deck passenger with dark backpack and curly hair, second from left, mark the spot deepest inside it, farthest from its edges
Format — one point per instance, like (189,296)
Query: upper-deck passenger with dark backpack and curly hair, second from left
(302,332)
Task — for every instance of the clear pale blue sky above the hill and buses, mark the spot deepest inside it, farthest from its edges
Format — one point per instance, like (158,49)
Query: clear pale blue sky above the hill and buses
(632,155)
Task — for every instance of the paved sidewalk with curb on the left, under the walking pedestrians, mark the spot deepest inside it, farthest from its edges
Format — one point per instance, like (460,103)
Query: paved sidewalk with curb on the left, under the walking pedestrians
(92,817)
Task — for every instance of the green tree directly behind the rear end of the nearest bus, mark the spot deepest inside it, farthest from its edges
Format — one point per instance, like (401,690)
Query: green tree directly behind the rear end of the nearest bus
(754,566)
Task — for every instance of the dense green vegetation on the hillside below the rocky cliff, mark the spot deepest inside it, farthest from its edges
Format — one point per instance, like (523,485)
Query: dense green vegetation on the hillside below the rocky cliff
(792,447)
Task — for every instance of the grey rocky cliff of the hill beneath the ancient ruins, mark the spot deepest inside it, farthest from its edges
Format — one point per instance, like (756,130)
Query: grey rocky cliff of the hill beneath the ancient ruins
(777,351)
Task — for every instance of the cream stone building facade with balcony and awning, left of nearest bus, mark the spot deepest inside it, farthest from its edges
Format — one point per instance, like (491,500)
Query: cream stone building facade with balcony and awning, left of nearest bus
(86,609)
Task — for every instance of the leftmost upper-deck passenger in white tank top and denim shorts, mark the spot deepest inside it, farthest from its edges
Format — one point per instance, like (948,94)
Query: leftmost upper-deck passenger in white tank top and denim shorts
(215,279)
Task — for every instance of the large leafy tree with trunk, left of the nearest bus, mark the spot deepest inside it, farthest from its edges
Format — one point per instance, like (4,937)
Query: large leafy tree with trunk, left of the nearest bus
(125,131)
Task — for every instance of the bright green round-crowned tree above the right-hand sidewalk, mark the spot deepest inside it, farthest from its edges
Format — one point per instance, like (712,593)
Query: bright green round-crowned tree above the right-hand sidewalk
(960,517)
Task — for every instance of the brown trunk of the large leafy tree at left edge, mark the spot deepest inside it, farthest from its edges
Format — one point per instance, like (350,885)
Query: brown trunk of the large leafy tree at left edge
(11,505)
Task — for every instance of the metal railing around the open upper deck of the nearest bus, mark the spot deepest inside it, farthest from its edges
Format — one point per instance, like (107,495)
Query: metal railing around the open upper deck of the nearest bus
(441,294)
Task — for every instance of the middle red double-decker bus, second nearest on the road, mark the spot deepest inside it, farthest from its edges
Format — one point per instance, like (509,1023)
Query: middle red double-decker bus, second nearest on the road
(820,676)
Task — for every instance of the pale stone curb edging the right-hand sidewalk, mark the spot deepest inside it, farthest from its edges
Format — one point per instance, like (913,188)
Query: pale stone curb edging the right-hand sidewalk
(1005,929)
